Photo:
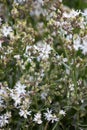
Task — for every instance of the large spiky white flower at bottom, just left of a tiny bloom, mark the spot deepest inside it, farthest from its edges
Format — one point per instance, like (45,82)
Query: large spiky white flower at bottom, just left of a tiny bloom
(50,117)
